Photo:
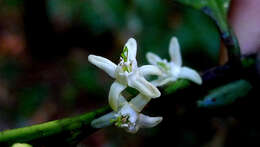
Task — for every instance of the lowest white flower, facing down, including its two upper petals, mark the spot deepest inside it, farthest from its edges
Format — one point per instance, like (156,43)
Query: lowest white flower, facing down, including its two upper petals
(128,115)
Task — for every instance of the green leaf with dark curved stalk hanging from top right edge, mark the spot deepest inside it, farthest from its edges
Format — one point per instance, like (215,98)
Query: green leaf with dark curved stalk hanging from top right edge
(217,10)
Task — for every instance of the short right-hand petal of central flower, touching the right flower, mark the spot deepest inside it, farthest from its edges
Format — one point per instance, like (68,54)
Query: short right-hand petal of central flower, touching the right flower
(150,70)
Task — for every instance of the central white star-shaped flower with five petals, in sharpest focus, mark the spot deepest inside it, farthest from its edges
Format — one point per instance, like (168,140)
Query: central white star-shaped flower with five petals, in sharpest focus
(127,73)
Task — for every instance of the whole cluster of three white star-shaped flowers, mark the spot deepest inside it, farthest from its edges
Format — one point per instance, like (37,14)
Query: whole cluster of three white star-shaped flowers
(127,114)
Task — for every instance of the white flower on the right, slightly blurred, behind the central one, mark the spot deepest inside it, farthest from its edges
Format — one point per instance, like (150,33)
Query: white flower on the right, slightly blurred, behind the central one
(172,70)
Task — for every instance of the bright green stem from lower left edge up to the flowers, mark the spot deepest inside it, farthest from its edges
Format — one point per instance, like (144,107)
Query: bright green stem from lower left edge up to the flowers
(73,127)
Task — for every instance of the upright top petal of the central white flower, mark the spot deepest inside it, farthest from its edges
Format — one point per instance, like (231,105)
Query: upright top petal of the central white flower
(132,49)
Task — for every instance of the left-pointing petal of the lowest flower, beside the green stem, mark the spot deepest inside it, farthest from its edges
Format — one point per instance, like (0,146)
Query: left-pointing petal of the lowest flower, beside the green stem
(103,121)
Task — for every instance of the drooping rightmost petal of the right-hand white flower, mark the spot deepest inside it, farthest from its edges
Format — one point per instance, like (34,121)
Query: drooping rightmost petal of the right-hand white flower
(190,74)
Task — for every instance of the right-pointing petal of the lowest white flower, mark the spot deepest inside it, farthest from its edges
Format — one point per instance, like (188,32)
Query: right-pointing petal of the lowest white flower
(147,121)
